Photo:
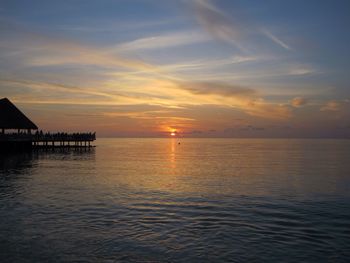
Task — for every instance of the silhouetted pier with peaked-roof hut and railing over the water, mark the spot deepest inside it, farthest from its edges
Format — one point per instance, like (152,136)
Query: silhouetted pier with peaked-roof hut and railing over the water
(21,136)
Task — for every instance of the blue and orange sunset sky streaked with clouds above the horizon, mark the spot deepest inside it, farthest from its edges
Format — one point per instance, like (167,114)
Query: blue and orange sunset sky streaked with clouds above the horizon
(197,68)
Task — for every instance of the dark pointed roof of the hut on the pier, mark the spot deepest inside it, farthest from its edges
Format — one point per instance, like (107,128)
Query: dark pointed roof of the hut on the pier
(13,118)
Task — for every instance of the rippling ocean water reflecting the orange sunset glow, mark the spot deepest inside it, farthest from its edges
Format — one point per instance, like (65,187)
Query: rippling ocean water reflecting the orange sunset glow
(178,200)
